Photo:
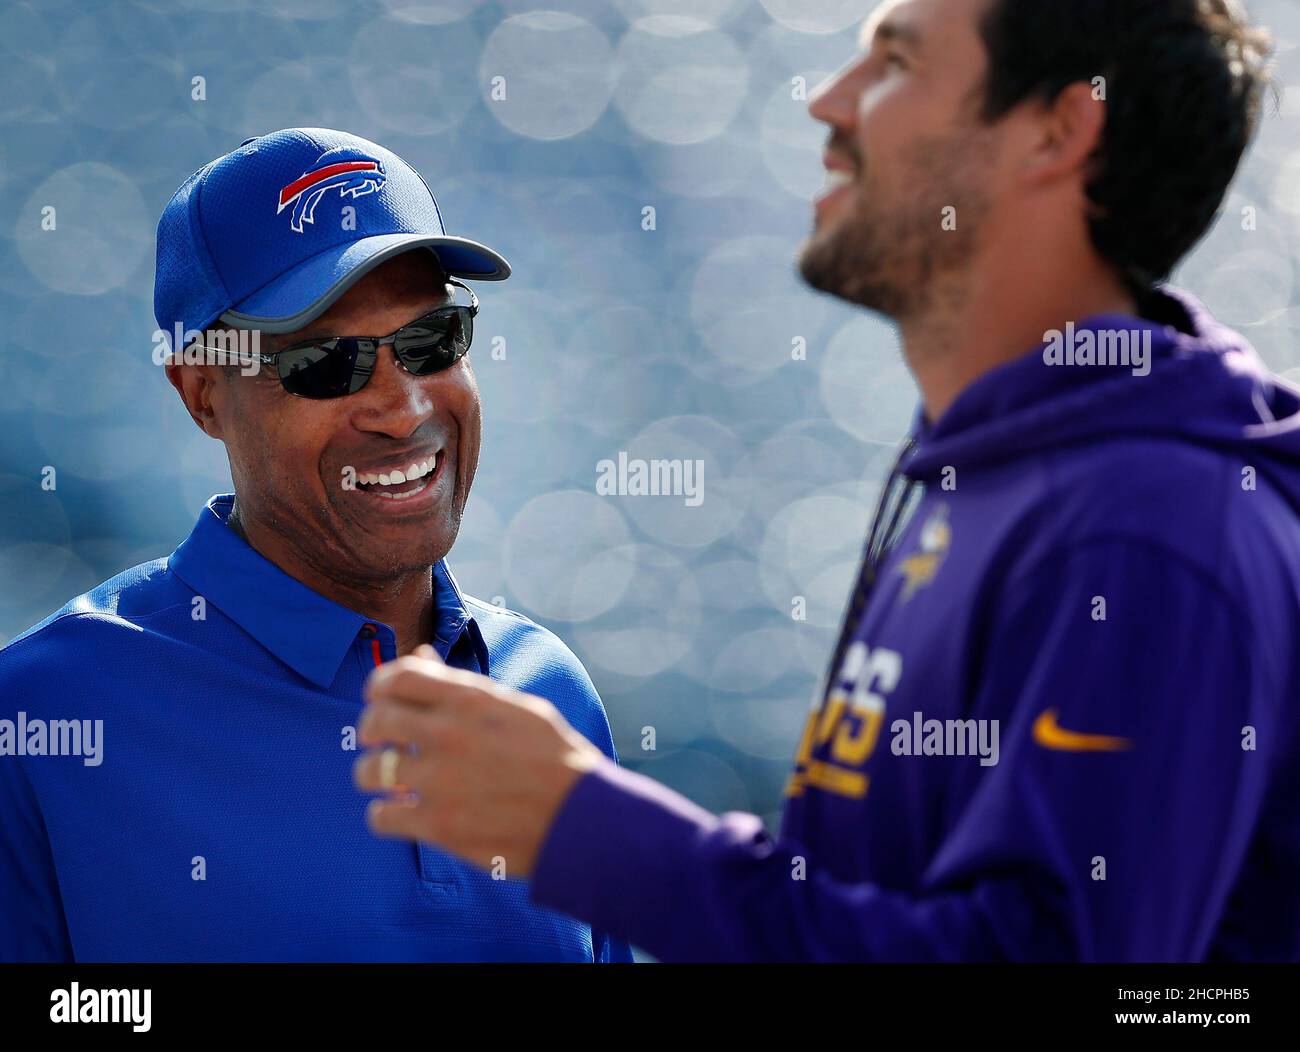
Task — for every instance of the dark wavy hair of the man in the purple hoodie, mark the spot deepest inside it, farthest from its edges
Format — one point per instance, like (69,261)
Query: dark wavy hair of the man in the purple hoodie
(1185,84)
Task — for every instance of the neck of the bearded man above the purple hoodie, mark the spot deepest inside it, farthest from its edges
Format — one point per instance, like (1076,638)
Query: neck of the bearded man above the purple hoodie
(974,323)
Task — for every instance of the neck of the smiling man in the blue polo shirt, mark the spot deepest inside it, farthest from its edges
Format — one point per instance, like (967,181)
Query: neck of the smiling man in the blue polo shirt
(405,603)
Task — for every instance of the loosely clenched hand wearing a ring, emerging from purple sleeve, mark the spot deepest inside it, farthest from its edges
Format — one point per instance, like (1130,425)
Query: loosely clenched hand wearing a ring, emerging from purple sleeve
(466,764)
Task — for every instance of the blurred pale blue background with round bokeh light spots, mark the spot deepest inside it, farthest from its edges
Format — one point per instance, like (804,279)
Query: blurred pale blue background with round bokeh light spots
(674,343)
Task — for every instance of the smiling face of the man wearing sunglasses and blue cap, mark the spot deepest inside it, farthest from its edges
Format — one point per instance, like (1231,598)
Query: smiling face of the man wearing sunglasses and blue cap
(292,458)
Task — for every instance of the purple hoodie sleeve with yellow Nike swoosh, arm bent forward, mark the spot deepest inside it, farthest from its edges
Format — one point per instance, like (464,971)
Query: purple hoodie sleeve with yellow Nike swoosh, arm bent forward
(1111,828)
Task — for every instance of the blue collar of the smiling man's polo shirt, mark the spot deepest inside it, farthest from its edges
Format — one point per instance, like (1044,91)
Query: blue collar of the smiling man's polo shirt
(305,630)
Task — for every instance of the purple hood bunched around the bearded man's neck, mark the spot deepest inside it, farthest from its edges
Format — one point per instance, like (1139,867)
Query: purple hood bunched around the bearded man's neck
(1202,384)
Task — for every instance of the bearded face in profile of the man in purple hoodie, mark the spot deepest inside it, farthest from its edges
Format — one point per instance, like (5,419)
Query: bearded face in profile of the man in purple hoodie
(905,145)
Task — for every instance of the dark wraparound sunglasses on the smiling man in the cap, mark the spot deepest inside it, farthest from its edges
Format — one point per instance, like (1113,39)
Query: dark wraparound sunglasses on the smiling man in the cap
(332,367)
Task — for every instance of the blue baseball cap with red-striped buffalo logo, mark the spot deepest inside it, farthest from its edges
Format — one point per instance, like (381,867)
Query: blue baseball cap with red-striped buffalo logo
(271,235)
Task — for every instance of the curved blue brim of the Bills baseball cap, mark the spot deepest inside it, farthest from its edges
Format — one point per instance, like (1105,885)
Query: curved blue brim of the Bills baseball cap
(304,295)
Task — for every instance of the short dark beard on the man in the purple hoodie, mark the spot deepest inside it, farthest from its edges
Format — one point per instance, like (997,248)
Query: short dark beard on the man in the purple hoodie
(889,257)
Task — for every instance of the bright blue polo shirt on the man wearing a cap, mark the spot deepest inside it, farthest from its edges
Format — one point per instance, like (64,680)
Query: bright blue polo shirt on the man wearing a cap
(202,806)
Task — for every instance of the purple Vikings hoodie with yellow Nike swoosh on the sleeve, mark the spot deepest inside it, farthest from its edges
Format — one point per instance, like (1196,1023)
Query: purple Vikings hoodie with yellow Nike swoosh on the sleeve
(1064,721)
